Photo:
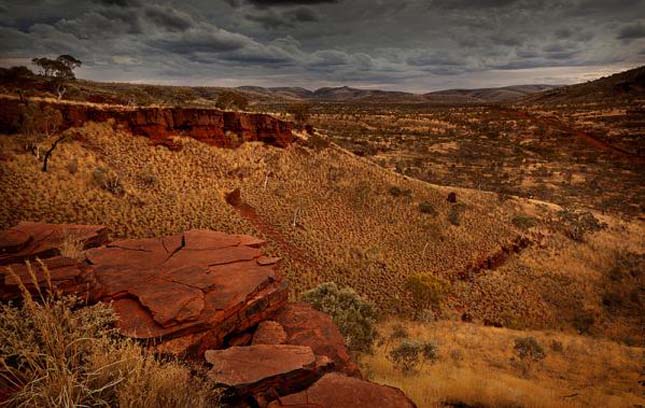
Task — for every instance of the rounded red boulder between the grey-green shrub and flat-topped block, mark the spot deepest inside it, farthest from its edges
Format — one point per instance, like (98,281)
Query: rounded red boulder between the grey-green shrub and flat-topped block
(306,326)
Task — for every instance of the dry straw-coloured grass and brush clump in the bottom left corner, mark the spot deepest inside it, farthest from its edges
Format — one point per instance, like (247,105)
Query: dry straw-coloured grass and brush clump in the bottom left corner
(56,352)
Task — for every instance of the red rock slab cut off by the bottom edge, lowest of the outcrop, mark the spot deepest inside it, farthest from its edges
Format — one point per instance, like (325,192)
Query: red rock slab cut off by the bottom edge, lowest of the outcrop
(336,390)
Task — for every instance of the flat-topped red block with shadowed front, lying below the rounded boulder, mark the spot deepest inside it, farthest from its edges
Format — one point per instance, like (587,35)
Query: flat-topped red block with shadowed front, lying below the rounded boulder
(259,369)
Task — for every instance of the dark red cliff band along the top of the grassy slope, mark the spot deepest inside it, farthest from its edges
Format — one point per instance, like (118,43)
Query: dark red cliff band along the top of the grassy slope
(215,127)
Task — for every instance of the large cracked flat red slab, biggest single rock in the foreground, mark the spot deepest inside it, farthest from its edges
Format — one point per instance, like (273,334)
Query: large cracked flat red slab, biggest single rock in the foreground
(190,290)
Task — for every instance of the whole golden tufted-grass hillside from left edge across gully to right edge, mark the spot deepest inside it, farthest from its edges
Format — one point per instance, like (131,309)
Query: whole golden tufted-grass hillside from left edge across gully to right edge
(348,226)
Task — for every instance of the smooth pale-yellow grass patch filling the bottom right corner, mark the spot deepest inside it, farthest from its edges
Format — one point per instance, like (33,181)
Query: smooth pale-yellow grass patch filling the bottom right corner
(478,367)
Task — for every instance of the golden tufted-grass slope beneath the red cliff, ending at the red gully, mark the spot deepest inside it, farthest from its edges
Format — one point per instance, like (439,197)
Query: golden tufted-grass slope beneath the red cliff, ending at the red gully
(375,240)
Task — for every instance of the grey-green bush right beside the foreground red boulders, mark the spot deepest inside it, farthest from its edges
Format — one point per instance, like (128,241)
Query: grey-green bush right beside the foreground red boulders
(355,317)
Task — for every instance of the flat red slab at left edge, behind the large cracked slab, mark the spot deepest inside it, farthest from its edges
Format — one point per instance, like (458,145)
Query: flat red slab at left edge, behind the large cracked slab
(31,240)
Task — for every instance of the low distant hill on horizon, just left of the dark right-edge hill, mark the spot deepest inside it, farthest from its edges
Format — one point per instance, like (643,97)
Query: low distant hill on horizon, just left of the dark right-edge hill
(487,94)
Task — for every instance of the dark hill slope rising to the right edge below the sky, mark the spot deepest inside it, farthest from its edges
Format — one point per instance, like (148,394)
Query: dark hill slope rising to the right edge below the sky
(624,85)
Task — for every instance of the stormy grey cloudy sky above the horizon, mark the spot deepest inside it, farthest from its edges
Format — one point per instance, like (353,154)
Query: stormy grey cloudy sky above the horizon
(411,45)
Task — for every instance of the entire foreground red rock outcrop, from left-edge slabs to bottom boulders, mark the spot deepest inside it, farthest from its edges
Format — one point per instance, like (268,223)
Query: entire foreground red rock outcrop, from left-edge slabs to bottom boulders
(207,296)
